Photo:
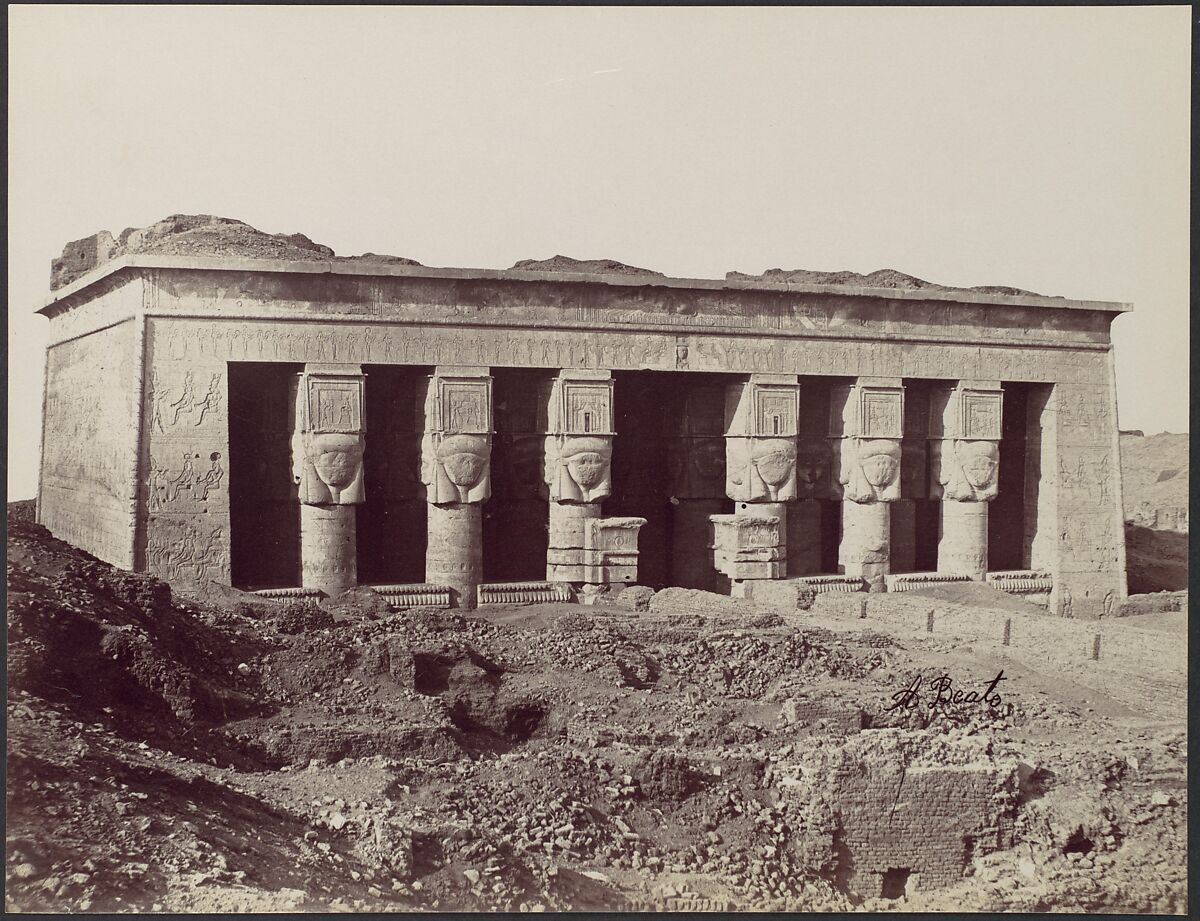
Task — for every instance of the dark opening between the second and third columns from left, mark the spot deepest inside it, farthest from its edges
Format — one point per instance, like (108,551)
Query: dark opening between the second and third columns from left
(517,519)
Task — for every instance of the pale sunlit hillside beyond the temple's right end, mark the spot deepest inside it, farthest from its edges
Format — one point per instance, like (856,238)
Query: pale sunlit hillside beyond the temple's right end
(1155,480)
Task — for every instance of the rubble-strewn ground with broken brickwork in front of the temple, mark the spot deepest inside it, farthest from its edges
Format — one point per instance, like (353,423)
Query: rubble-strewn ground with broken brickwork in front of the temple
(230,754)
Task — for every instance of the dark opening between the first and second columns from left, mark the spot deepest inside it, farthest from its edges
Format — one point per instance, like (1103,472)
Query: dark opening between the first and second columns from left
(392,522)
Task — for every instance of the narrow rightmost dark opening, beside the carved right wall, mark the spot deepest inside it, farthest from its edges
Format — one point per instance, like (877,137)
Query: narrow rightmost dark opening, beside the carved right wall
(1006,517)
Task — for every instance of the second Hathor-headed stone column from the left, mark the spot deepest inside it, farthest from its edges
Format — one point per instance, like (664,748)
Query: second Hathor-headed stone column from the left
(457,455)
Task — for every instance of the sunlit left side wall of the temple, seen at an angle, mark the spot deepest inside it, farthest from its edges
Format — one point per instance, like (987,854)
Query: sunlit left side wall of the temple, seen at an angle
(89,437)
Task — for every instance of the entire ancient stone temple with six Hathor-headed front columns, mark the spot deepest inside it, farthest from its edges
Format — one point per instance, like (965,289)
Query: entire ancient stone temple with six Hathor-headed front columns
(249,410)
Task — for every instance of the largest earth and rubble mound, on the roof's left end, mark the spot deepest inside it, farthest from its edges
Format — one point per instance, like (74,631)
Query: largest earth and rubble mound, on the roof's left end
(196,236)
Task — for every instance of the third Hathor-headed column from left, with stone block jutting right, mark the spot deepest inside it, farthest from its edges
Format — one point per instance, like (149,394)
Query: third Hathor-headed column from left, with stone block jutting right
(585,549)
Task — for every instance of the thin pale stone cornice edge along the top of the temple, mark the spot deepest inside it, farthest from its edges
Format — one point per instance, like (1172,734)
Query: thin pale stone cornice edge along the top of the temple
(79,291)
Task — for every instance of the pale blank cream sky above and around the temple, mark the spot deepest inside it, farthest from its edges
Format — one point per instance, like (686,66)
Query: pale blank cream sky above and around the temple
(1039,148)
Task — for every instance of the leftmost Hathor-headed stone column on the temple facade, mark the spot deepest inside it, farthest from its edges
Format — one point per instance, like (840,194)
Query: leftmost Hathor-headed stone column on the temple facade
(327,465)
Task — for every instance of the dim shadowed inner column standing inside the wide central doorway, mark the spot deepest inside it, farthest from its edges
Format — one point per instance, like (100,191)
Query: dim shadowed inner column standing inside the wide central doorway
(697,460)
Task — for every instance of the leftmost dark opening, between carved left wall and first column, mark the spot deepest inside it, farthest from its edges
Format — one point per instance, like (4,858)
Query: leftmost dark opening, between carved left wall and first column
(265,510)
